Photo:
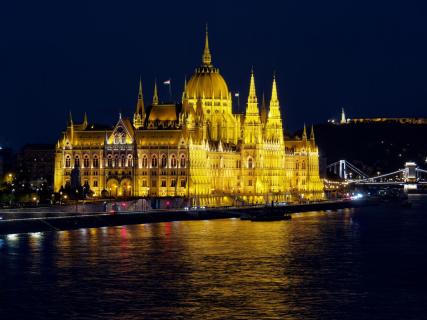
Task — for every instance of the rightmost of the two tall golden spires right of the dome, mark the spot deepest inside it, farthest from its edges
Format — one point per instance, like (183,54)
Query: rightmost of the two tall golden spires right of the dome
(274,126)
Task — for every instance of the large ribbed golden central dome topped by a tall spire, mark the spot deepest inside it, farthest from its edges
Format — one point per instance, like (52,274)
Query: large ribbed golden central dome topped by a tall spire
(207,82)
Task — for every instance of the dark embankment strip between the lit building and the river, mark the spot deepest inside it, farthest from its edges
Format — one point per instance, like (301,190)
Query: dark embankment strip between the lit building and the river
(96,220)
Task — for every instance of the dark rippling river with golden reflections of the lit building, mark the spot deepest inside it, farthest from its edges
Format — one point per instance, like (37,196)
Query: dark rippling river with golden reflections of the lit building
(365,263)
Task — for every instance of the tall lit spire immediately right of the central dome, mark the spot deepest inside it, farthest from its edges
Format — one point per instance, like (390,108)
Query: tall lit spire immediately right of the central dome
(252,126)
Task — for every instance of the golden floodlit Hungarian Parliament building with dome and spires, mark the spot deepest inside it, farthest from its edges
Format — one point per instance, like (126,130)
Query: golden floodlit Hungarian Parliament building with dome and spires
(197,150)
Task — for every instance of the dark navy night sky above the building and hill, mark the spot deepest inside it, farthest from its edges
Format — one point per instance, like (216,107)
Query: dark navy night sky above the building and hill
(369,57)
